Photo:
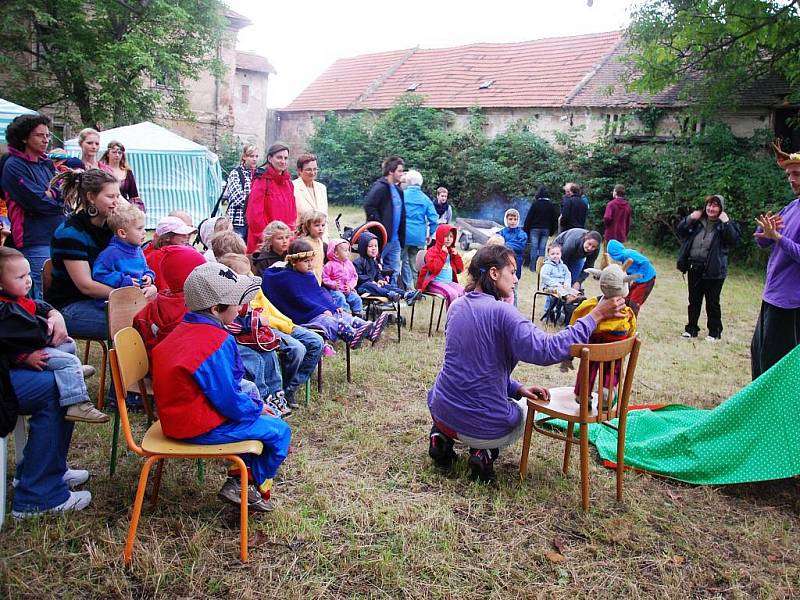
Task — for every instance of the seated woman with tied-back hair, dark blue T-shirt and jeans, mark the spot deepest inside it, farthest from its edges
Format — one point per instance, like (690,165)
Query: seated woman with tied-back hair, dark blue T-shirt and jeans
(91,196)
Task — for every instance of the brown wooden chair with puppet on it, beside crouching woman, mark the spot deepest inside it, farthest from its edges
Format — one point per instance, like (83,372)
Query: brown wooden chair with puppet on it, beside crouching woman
(562,406)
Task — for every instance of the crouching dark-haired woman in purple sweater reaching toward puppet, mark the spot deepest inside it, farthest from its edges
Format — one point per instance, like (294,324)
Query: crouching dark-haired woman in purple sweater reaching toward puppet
(474,398)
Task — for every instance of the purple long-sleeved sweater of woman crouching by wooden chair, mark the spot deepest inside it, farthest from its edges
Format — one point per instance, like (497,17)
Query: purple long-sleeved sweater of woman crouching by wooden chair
(484,341)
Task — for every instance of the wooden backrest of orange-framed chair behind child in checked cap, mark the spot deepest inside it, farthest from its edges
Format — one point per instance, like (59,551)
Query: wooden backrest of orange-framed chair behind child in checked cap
(129,365)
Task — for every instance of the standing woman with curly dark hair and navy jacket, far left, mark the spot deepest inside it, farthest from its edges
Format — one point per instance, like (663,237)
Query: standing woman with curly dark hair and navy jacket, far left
(35,208)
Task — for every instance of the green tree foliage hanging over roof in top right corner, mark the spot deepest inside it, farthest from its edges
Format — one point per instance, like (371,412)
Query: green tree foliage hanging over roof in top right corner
(714,48)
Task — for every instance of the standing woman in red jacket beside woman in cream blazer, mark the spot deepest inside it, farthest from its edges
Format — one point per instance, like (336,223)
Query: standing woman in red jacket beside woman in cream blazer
(271,197)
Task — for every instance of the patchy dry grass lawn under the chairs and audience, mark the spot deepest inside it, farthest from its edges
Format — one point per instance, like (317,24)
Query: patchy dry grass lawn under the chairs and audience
(361,512)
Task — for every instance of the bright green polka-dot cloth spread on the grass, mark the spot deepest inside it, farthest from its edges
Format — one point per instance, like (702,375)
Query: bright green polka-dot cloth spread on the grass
(752,436)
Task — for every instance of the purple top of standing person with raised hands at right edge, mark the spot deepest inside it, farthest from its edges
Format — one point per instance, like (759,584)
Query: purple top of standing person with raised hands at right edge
(782,286)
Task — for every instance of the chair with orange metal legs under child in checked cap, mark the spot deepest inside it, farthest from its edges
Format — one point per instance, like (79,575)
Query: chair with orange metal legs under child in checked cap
(129,366)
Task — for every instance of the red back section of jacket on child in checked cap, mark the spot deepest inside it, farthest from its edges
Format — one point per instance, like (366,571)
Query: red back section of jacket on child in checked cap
(182,405)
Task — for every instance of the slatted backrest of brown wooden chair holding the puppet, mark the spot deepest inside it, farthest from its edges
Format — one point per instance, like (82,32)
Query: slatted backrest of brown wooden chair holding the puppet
(616,364)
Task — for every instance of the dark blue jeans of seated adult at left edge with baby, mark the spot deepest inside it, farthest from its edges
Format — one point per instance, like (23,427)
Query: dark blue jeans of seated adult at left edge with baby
(44,459)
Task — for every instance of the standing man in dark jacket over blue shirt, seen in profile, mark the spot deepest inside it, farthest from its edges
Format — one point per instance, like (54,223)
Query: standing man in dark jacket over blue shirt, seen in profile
(384,203)
